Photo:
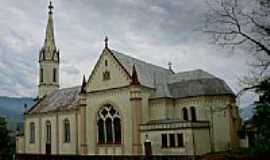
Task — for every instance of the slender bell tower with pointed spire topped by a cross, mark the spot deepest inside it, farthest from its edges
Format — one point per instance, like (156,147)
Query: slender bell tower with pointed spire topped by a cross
(49,59)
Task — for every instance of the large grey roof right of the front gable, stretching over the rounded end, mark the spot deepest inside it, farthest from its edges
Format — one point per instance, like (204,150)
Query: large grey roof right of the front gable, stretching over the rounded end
(174,85)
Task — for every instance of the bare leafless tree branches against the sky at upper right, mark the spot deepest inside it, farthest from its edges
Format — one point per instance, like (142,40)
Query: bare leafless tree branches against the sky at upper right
(245,24)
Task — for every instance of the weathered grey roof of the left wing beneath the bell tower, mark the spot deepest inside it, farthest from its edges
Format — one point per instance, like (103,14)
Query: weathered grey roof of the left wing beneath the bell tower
(62,99)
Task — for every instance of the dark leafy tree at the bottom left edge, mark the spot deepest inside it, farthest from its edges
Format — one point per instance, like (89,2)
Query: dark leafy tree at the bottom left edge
(7,144)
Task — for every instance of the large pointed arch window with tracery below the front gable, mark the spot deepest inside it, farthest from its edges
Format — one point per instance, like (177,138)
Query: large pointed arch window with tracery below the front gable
(108,125)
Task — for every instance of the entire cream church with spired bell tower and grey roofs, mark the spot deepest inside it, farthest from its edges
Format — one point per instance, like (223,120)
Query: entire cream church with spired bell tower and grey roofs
(124,103)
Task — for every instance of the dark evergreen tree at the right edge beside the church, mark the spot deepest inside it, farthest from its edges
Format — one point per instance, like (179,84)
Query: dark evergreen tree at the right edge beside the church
(261,118)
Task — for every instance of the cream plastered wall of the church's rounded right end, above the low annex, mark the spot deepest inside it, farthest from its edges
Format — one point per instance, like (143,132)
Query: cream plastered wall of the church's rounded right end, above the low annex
(208,108)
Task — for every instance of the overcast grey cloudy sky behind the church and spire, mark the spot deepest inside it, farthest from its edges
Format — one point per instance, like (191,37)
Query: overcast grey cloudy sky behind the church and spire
(157,31)
